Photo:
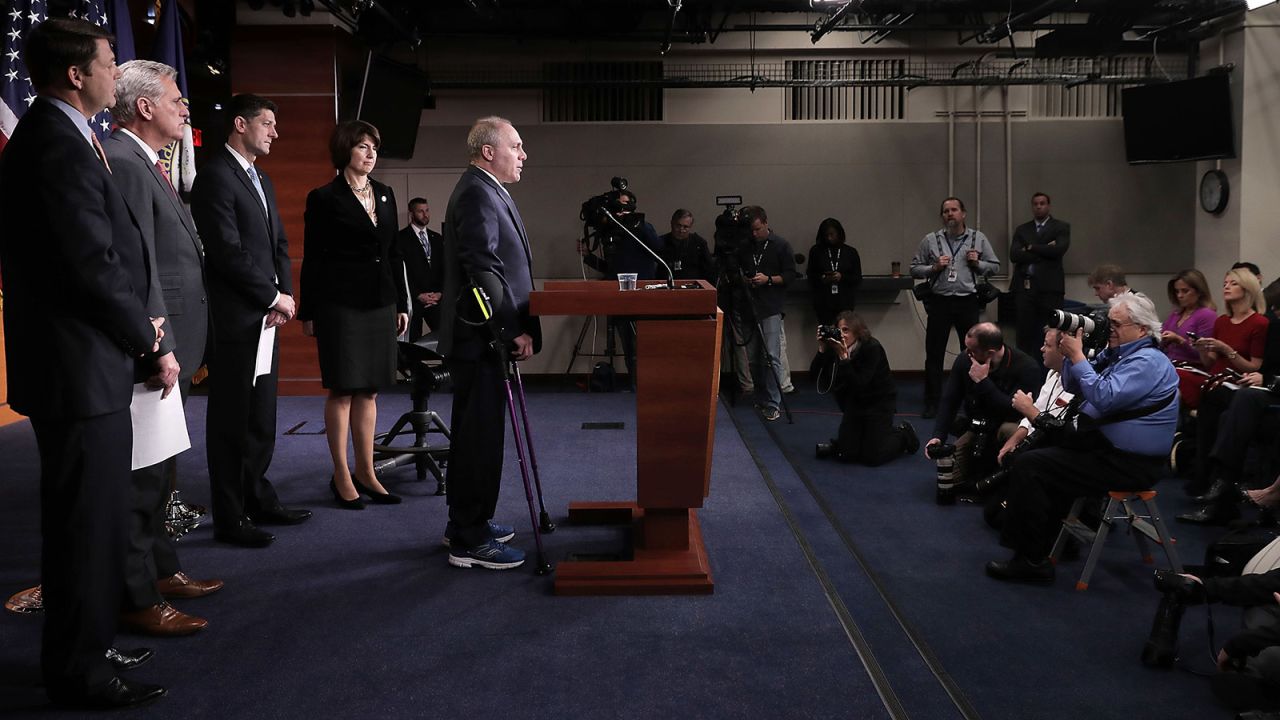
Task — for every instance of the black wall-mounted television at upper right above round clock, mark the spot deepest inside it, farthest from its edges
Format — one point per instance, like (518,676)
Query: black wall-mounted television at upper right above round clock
(1177,122)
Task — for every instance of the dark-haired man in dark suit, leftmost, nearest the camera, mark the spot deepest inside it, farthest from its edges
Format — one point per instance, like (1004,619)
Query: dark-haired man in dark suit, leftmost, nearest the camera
(76,280)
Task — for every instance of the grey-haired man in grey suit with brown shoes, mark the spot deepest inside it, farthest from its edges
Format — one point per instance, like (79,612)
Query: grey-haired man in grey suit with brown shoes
(150,115)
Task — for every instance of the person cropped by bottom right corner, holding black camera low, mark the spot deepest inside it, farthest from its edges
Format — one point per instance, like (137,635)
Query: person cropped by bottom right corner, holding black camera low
(1249,662)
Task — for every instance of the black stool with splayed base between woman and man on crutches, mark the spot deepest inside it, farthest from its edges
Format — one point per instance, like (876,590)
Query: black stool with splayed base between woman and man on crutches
(422,363)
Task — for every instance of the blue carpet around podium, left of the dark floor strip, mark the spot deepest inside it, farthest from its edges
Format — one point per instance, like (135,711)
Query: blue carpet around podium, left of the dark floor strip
(358,614)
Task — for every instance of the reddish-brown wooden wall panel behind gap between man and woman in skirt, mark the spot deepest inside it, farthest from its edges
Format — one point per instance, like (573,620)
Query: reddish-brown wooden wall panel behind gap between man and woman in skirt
(294,67)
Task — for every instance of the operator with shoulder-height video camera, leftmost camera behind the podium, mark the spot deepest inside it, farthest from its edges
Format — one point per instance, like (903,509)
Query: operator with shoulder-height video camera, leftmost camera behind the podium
(612,250)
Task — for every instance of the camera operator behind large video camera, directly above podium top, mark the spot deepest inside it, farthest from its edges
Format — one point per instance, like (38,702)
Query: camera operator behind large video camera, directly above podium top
(621,254)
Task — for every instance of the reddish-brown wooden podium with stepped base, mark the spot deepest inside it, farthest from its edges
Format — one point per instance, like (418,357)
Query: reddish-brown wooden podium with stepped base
(678,367)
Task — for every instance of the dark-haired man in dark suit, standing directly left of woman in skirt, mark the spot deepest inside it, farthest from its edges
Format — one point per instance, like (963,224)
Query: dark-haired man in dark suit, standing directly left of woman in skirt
(249,284)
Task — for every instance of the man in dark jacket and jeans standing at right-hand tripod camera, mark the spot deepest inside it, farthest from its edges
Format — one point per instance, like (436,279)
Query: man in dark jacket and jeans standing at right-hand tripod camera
(769,267)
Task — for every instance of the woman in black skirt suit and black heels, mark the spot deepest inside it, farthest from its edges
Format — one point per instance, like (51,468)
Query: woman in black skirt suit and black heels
(354,302)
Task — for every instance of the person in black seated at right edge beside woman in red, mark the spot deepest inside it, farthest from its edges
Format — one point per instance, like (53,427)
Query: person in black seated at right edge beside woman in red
(1229,422)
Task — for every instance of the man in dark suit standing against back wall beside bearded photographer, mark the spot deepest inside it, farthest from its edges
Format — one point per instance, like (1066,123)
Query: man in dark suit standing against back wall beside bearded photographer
(1037,284)
